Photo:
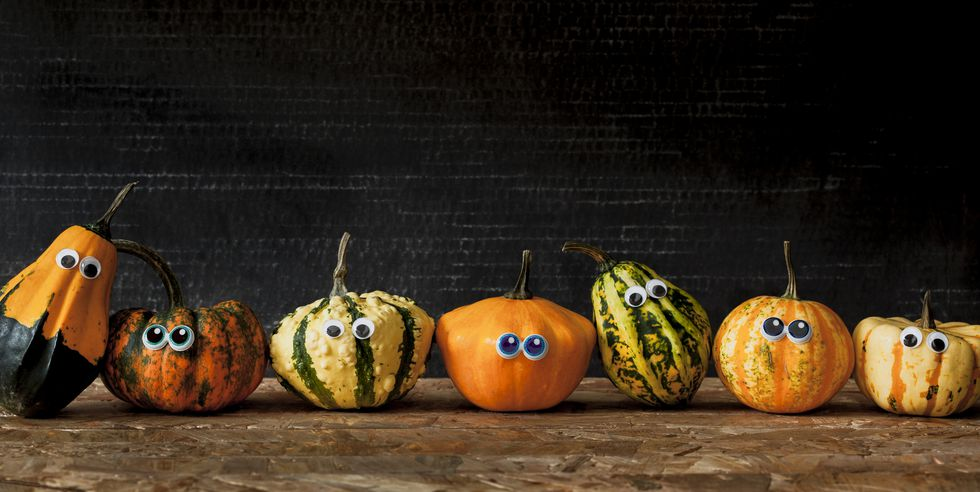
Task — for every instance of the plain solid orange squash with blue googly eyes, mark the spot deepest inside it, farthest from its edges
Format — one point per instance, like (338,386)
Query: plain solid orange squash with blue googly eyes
(517,352)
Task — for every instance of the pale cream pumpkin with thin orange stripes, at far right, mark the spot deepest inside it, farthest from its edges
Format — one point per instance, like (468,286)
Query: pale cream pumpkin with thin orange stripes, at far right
(918,368)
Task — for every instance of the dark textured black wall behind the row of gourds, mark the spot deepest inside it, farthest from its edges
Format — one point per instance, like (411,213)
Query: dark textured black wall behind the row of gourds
(447,136)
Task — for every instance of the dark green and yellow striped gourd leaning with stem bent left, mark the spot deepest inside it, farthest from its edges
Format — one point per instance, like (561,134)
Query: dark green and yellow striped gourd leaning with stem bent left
(654,338)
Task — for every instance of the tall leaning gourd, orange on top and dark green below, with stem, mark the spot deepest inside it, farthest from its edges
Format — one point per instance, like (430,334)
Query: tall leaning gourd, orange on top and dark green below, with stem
(53,319)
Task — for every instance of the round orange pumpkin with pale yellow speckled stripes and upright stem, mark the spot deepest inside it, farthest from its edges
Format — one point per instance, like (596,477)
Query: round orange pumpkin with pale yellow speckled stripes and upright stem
(783,354)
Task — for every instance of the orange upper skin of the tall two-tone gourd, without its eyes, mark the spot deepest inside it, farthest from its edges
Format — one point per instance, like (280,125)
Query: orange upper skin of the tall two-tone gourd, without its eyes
(77,307)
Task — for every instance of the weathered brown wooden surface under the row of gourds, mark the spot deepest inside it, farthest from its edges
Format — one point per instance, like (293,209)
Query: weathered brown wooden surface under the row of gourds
(435,440)
